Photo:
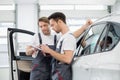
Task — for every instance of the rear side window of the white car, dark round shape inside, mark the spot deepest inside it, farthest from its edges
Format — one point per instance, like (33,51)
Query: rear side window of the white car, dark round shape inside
(109,38)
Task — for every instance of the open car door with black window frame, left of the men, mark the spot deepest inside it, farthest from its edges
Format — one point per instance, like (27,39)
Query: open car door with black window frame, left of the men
(18,39)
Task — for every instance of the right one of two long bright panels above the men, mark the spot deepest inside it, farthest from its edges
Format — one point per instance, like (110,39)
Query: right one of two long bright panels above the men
(90,7)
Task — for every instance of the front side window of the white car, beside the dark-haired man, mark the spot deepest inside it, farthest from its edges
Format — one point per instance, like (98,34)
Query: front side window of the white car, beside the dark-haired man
(90,39)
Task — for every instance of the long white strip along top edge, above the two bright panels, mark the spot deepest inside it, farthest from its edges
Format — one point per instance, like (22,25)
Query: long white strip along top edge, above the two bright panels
(79,2)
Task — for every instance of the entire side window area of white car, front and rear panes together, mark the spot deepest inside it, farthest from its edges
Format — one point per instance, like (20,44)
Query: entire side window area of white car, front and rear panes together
(99,38)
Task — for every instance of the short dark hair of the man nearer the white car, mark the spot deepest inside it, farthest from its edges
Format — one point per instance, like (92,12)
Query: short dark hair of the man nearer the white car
(58,15)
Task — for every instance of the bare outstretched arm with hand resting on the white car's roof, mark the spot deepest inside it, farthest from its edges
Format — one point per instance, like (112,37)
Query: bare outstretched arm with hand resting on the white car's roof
(78,32)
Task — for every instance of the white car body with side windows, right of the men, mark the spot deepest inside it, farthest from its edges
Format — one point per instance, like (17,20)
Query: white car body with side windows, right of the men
(95,60)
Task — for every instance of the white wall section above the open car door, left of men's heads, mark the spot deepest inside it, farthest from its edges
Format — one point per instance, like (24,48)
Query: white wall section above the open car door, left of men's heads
(26,17)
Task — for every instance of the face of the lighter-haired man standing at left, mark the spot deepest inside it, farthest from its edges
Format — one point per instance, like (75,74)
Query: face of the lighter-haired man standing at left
(44,27)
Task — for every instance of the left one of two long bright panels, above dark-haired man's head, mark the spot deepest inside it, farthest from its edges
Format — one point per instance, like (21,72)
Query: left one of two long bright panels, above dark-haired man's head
(56,7)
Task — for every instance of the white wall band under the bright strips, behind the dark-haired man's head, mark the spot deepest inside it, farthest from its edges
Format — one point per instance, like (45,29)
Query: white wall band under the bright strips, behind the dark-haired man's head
(77,13)
